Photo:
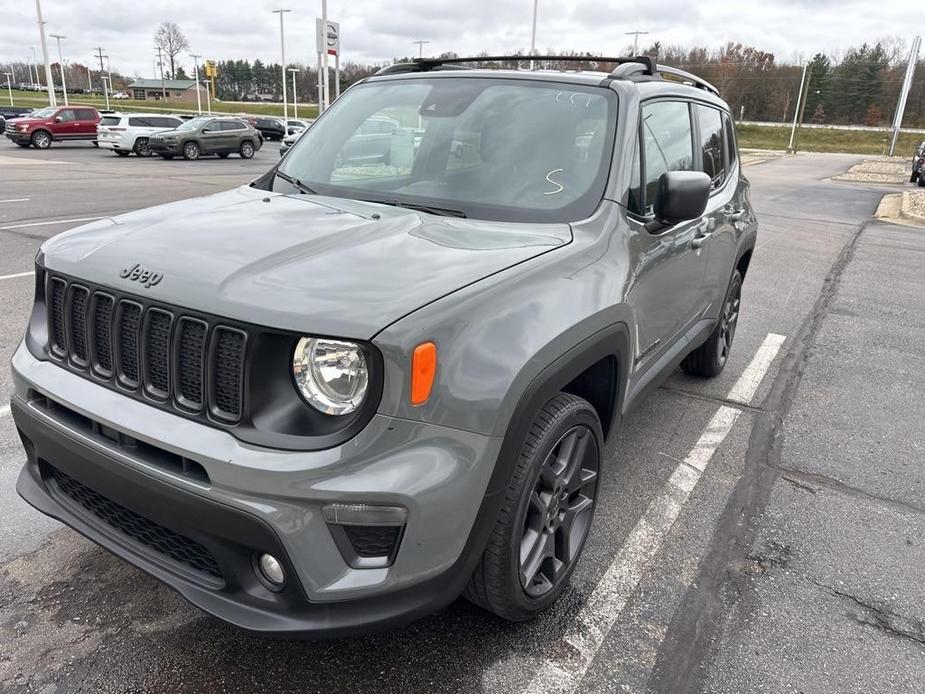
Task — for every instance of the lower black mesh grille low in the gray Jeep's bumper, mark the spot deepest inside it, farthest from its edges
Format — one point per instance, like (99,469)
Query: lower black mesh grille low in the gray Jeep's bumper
(162,540)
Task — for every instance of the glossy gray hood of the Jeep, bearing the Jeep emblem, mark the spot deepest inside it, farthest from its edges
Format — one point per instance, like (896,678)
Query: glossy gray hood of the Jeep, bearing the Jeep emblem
(305,263)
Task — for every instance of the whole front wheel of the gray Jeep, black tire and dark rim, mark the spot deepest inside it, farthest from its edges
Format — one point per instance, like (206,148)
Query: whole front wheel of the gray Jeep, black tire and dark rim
(536,516)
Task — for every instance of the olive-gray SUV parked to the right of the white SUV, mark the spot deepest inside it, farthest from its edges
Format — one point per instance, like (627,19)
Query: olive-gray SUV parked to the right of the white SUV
(207,135)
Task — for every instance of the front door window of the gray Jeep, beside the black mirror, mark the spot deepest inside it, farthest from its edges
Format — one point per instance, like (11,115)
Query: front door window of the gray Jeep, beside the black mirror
(667,143)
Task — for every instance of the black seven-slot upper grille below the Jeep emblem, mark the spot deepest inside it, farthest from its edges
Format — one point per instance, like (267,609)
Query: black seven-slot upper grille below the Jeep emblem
(188,363)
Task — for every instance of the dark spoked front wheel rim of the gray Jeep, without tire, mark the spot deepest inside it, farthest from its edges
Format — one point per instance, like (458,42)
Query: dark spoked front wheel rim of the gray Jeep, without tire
(559,511)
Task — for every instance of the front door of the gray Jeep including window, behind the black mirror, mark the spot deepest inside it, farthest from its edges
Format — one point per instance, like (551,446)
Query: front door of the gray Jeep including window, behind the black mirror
(668,292)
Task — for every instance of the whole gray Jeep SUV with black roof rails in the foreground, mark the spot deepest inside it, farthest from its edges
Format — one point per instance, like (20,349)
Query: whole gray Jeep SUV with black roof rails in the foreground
(343,395)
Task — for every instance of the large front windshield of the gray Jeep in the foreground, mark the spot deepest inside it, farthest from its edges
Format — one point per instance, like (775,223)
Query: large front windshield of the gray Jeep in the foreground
(507,150)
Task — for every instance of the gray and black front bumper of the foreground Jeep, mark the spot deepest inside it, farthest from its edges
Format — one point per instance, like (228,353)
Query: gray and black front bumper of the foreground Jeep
(257,500)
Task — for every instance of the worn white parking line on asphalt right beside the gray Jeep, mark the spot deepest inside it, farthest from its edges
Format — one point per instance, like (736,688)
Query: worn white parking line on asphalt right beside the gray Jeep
(599,613)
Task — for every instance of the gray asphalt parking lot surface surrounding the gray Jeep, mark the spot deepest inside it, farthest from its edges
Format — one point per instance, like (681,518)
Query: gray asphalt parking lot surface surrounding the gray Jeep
(760,532)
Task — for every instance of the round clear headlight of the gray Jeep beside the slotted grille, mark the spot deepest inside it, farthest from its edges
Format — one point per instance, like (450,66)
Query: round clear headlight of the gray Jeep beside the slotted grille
(331,375)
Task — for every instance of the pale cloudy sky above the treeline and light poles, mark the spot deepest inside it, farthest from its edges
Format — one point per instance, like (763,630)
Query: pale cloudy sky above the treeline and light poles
(374,31)
